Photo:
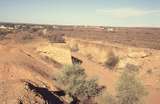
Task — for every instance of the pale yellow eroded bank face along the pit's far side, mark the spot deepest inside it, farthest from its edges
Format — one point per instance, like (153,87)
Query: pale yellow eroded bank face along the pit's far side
(99,50)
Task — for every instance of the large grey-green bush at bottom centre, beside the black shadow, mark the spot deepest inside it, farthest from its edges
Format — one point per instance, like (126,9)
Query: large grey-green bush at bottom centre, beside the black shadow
(73,81)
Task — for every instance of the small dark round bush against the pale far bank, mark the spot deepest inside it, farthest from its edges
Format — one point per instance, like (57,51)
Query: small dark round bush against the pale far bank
(112,60)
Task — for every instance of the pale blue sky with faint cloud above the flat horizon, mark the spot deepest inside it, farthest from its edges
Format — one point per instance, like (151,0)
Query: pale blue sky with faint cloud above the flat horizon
(125,13)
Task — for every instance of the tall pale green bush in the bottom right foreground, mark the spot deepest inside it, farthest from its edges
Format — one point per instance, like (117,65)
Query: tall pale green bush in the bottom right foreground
(130,90)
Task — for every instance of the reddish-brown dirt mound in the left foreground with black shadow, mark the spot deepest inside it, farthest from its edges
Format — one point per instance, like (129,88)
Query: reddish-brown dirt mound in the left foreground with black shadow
(25,78)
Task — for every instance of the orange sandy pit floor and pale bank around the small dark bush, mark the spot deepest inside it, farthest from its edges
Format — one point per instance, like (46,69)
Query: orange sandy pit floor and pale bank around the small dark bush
(94,53)
